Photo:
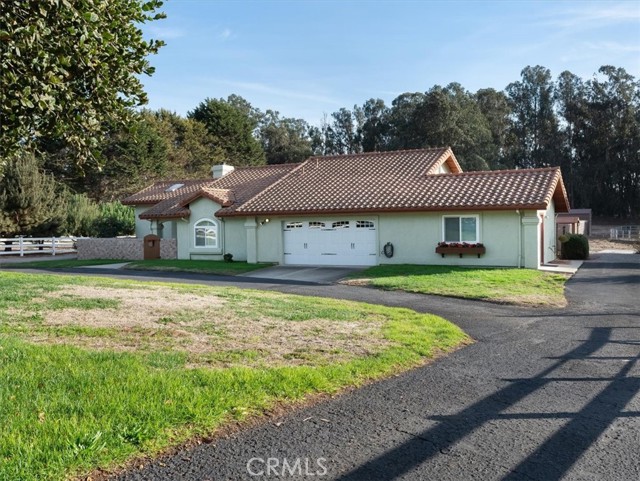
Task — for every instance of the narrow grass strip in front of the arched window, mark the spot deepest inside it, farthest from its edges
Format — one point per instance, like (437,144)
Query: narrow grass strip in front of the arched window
(221,268)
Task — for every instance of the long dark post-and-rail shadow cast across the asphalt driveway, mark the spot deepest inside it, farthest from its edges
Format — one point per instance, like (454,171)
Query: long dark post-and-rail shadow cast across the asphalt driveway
(554,457)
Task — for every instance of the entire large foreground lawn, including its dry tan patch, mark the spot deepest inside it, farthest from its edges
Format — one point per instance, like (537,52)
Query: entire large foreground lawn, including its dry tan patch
(94,372)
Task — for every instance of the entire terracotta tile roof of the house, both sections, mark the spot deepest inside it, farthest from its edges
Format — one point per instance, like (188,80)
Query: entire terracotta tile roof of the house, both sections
(372,182)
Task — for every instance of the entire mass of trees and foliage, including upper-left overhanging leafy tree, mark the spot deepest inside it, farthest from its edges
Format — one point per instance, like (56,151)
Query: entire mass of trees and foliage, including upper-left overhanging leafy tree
(72,129)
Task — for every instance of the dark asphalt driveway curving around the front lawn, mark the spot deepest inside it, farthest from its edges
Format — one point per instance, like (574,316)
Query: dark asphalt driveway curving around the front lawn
(541,395)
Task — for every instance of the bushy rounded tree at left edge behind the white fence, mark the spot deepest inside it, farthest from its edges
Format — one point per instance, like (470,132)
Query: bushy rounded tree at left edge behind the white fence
(31,202)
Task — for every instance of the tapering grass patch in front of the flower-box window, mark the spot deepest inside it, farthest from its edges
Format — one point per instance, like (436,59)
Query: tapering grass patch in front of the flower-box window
(512,286)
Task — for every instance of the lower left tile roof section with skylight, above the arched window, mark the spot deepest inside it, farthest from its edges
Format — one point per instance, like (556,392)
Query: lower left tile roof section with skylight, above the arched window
(229,191)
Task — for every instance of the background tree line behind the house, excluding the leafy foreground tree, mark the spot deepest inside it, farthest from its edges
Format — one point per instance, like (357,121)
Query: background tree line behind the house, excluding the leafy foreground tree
(590,128)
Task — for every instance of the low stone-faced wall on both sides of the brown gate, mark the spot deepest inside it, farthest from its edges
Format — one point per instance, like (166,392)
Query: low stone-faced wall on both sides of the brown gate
(129,249)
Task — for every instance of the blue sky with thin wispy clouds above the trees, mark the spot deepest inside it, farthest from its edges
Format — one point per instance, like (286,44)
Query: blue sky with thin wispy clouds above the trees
(309,58)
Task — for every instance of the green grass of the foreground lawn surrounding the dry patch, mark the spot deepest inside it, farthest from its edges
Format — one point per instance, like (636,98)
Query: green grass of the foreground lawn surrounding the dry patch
(66,410)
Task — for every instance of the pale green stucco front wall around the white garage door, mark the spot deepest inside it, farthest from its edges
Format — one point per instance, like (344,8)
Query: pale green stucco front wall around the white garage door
(511,238)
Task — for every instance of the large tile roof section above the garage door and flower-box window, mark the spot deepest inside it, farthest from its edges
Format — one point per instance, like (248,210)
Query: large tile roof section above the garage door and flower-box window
(337,185)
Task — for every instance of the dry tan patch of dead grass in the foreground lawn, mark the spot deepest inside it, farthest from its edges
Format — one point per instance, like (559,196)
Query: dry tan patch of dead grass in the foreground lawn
(209,330)
